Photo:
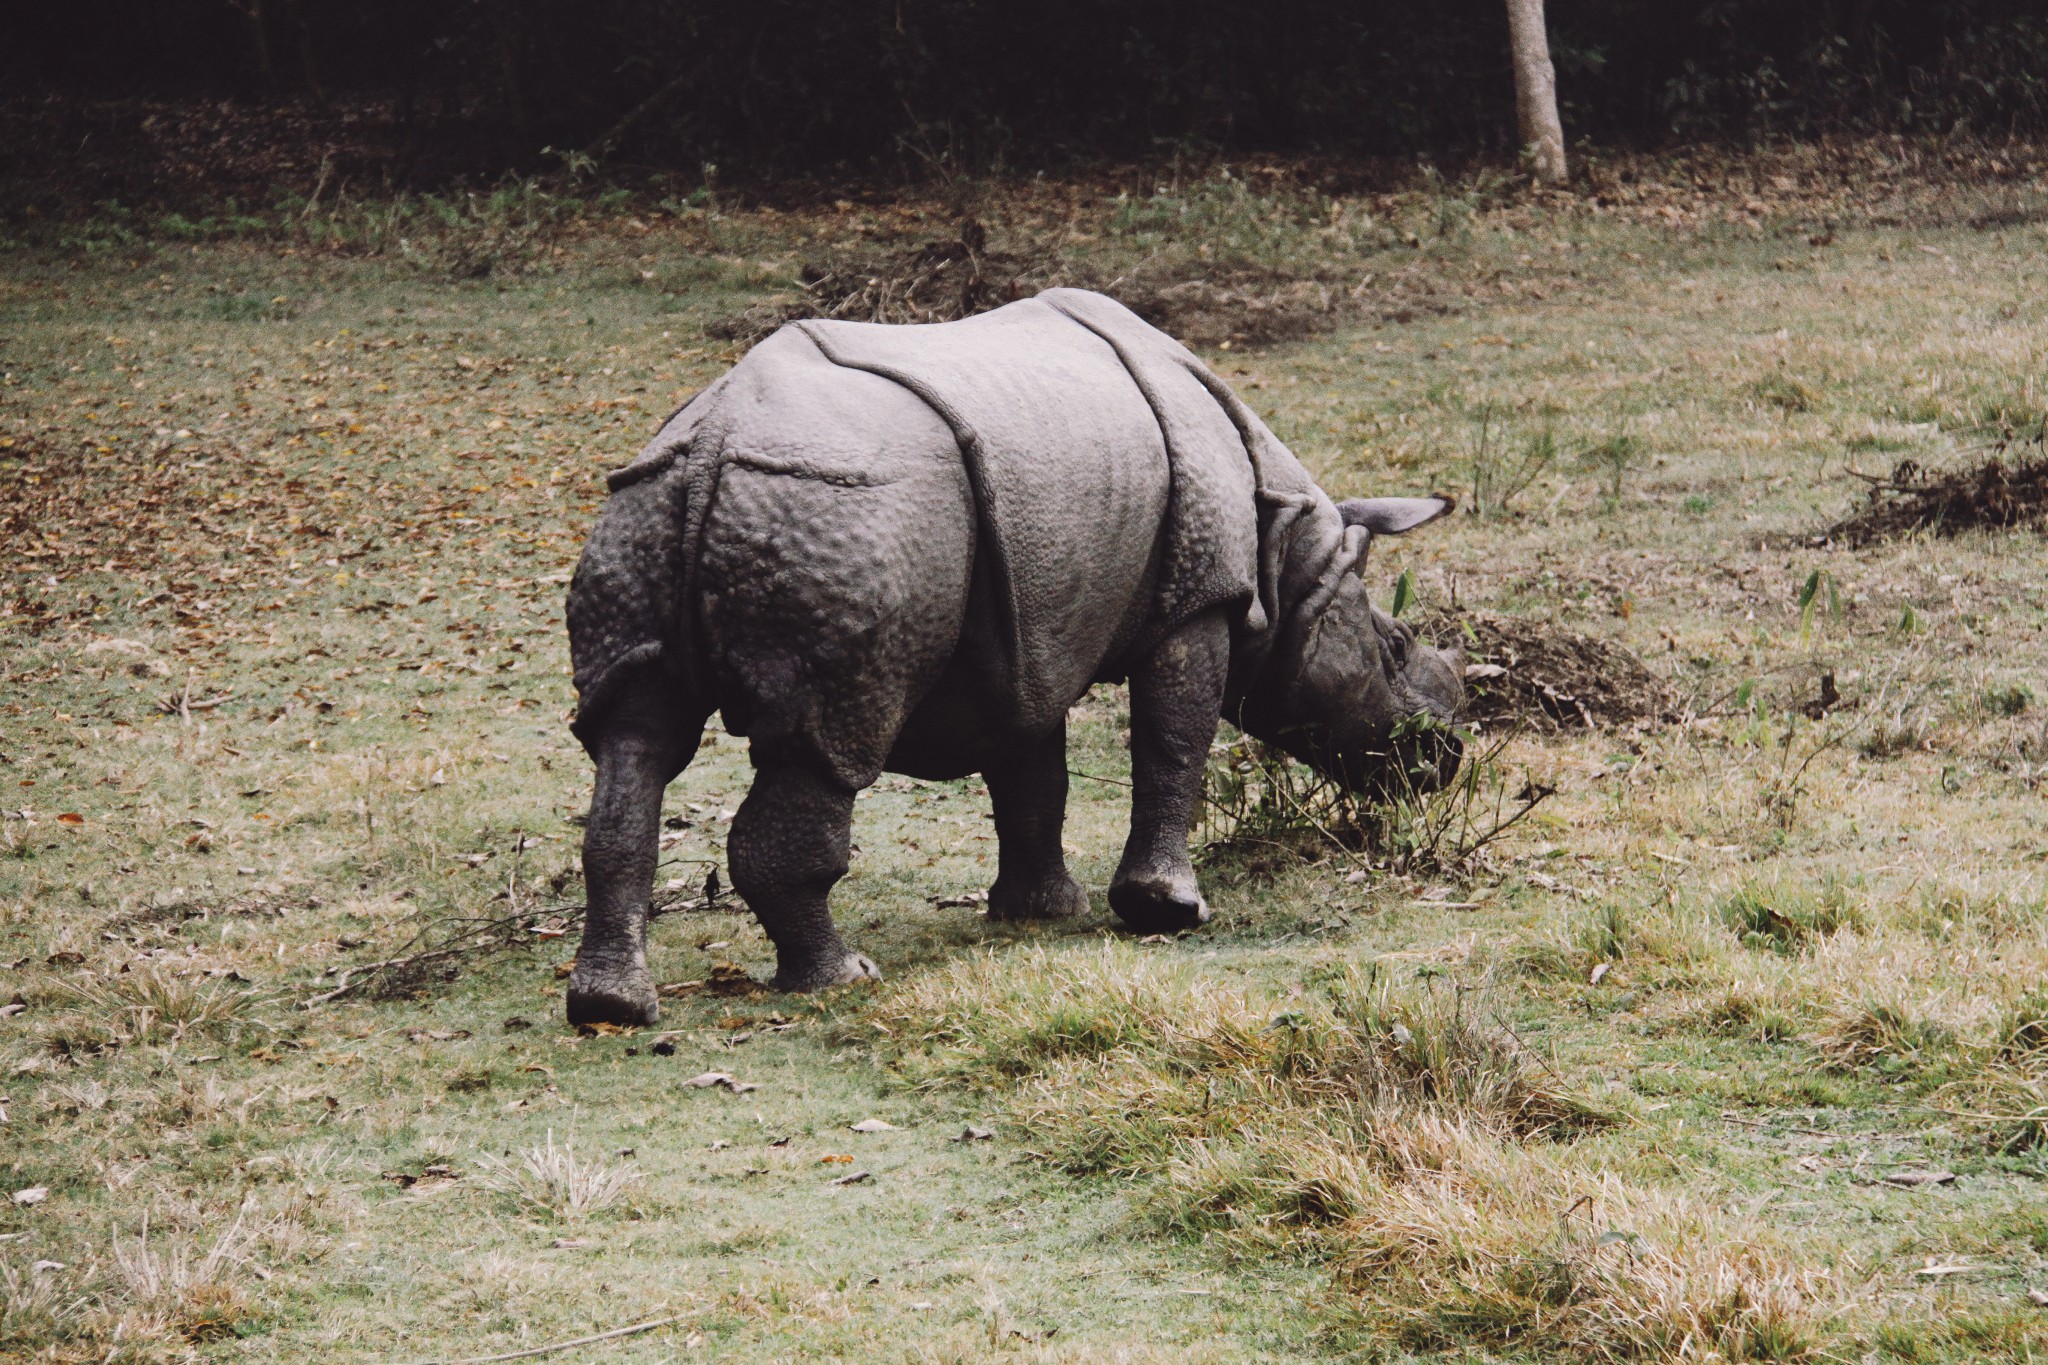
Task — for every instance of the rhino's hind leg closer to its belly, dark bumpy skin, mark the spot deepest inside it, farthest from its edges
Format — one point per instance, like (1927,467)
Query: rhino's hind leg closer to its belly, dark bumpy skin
(790,846)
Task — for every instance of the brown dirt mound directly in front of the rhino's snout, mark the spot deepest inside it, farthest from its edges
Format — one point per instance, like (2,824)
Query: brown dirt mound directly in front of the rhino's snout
(1551,678)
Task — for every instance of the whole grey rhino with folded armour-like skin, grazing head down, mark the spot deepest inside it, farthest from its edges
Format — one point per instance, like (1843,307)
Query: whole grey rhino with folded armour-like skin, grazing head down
(914,549)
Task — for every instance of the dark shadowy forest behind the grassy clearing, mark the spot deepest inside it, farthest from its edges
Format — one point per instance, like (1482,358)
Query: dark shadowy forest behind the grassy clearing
(765,89)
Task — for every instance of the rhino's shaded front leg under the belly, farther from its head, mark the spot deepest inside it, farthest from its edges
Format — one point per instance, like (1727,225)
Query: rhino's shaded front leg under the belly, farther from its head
(1029,791)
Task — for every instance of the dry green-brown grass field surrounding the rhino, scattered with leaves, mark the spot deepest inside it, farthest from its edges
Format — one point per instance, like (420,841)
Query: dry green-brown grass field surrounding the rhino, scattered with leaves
(1734,1051)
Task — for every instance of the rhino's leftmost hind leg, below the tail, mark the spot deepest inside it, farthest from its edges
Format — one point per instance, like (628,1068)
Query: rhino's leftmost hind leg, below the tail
(640,752)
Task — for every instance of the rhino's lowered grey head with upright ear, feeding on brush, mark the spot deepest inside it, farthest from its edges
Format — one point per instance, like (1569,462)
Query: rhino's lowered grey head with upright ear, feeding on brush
(1355,693)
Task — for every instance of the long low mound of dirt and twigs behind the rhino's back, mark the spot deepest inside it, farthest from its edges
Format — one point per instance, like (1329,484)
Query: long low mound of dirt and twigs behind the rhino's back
(959,277)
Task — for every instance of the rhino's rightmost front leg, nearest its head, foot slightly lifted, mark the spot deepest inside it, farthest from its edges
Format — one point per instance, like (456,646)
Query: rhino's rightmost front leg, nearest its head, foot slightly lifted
(1177,699)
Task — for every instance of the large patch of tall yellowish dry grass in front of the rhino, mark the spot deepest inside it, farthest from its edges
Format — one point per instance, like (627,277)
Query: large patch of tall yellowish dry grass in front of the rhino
(1400,1133)
